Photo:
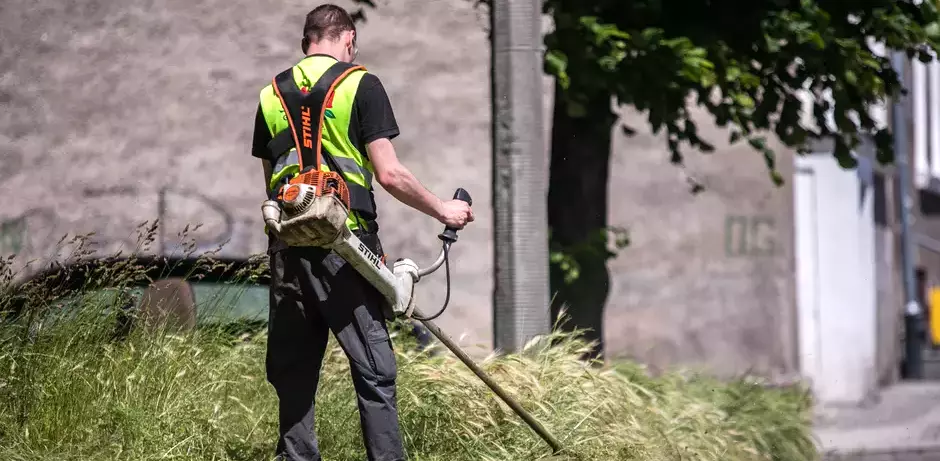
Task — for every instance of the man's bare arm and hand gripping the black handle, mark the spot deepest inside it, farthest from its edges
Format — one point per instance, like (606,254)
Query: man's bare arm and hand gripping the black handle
(398,181)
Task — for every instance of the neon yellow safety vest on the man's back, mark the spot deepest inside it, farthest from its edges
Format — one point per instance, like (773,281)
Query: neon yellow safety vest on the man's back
(315,72)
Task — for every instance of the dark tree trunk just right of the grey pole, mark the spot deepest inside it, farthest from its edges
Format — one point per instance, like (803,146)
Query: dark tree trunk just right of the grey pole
(577,214)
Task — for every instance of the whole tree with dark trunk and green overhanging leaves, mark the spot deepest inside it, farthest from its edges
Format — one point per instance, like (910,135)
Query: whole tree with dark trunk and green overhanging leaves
(746,62)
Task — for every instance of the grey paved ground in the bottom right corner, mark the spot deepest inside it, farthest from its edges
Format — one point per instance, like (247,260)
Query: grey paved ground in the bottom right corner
(901,424)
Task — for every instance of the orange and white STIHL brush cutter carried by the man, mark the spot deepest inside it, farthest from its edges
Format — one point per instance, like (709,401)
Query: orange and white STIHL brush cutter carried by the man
(312,211)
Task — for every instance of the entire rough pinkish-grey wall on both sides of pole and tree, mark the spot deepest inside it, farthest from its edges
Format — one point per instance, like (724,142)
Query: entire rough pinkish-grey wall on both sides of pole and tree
(116,102)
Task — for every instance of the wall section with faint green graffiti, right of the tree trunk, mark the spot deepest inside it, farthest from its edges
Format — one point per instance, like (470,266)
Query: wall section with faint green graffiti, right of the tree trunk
(708,280)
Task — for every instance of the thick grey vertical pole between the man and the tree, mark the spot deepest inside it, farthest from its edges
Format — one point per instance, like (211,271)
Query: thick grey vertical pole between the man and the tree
(520,176)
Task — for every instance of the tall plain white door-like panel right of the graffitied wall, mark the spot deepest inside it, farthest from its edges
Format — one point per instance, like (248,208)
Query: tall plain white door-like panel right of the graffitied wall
(835,276)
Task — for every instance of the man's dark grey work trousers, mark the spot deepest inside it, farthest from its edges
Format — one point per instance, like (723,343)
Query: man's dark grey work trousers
(314,292)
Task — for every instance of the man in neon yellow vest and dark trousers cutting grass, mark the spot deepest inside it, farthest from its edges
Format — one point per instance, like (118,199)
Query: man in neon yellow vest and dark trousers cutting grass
(314,291)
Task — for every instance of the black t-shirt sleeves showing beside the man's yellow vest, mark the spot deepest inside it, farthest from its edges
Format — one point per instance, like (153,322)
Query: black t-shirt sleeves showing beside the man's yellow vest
(372,118)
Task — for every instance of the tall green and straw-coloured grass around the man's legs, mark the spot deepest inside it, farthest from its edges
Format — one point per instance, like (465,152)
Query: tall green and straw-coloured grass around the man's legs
(75,387)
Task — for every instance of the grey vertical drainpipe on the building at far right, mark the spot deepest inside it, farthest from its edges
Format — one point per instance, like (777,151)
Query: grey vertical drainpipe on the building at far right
(913,348)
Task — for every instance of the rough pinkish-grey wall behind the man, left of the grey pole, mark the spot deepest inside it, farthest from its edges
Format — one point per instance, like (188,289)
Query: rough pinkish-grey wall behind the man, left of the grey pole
(116,102)
